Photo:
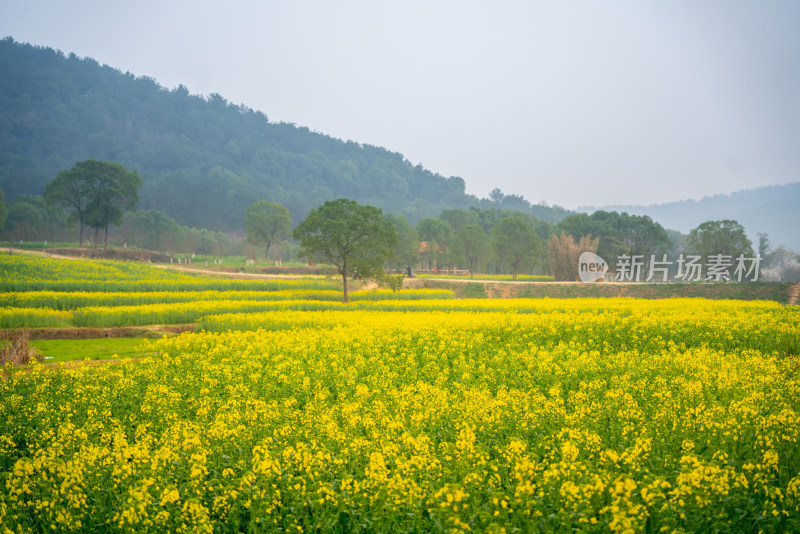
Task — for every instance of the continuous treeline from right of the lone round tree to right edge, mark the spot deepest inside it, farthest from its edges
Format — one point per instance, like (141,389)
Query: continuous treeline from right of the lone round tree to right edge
(509,241)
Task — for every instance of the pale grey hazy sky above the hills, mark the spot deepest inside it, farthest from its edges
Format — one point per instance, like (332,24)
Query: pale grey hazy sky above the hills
(574,103)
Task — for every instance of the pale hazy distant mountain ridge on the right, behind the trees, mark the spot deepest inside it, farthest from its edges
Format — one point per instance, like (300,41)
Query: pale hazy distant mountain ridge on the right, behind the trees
(773,209)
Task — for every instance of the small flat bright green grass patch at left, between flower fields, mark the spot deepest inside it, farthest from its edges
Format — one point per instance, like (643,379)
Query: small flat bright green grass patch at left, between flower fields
(64,350)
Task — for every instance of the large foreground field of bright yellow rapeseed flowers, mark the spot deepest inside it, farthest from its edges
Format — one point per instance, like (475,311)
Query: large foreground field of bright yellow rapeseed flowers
(419,415)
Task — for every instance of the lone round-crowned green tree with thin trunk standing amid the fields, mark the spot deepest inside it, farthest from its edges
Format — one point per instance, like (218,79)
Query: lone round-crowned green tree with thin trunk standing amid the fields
(356,239)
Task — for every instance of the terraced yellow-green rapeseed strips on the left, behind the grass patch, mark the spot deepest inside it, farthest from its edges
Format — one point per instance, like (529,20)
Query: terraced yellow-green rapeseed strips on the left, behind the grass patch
(41,292)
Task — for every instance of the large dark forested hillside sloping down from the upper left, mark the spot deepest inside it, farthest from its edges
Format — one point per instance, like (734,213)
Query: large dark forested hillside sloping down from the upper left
(202,160)
